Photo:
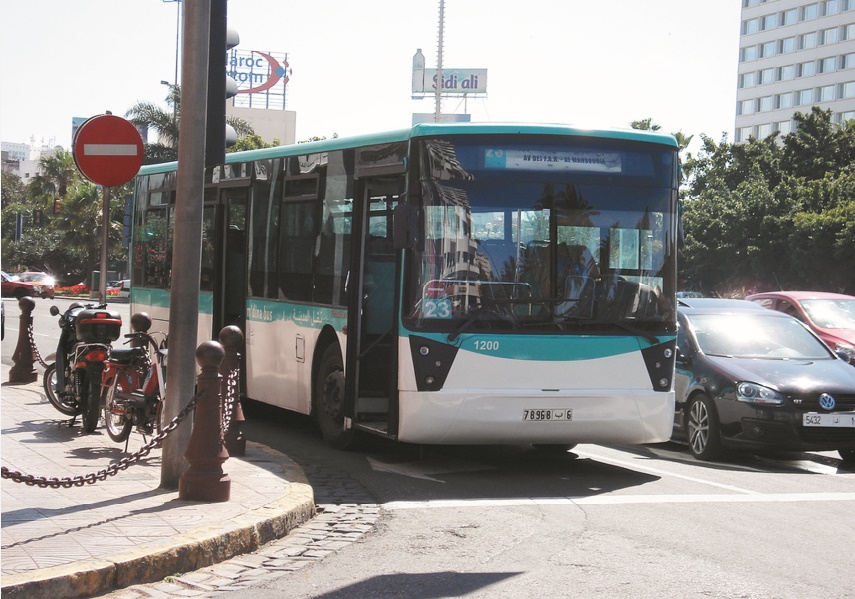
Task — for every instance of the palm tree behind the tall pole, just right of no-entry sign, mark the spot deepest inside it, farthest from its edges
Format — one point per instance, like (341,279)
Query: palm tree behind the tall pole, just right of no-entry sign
(146,115)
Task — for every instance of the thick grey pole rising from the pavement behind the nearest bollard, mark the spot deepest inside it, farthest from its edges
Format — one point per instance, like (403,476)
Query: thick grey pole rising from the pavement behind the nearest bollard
(187,245)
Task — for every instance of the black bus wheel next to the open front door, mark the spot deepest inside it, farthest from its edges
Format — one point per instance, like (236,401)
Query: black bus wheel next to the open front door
(329,400)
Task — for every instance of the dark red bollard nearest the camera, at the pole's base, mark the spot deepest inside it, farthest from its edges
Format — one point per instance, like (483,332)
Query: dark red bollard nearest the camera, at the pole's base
(205,480)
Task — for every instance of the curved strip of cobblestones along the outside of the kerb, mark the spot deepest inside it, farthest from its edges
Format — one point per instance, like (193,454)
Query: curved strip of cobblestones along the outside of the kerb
(345,514)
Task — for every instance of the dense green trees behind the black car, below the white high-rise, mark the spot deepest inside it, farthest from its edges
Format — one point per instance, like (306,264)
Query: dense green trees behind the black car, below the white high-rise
(773,212)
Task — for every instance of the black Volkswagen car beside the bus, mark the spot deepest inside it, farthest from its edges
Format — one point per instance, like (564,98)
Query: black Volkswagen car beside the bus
(759,380)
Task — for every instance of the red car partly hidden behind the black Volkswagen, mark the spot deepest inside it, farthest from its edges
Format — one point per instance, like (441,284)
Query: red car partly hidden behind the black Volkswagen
(830,315)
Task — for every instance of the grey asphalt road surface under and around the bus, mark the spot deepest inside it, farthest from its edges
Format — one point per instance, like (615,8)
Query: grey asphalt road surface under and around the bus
(502,522)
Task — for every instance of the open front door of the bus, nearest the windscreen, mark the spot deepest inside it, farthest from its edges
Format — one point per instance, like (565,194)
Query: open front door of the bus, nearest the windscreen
(371,382)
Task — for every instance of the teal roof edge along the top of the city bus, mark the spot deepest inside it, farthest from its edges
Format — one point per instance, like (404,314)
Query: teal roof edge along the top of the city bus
(431,130)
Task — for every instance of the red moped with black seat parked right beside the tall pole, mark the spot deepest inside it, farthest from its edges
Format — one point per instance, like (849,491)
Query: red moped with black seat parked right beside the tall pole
(133,383)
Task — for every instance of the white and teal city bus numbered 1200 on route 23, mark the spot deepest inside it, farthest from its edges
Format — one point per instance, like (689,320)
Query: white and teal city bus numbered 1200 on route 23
(445,284)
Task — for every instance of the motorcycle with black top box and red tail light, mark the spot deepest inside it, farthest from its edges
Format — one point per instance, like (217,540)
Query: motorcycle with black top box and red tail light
(73,382)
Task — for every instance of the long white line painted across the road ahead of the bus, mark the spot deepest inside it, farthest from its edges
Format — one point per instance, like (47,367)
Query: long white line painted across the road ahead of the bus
(620,500)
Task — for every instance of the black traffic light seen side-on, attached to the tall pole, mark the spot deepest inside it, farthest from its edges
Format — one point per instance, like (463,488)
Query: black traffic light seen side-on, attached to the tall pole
(219,135)
